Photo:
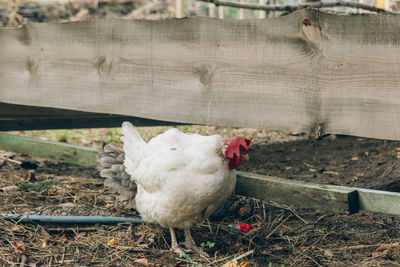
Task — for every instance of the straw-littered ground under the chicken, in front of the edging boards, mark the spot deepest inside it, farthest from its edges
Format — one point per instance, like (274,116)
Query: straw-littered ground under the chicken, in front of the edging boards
(279,235)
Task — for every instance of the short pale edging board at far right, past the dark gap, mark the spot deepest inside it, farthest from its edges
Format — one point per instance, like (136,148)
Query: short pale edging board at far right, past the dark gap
(379,201)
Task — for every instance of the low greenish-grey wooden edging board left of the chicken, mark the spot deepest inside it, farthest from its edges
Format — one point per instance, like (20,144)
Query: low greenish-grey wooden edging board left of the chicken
(49,149)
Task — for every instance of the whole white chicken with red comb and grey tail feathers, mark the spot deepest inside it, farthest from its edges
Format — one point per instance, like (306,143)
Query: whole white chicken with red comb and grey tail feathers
(181,178)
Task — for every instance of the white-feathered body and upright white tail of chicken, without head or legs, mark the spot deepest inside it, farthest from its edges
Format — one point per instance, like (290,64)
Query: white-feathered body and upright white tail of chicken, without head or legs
(181,178)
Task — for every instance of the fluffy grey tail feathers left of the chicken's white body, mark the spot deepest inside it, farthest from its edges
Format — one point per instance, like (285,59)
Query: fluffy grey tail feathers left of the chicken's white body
(111,160)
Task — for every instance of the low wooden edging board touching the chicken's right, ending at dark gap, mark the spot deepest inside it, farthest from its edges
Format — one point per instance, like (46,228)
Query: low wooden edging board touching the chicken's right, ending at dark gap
(298,193)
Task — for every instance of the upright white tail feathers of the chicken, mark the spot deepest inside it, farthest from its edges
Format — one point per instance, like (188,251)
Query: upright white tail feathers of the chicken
(133,147)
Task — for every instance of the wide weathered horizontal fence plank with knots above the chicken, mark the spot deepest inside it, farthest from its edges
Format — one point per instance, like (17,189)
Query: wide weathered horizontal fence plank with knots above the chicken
(308,71)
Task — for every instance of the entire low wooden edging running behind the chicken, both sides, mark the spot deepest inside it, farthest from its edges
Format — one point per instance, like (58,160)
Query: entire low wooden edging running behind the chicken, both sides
(297,193)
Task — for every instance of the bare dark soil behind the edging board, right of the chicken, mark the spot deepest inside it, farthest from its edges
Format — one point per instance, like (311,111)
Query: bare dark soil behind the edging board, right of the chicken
(337,160)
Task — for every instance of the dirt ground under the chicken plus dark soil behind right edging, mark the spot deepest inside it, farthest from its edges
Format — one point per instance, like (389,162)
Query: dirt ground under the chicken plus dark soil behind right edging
(280,236)
